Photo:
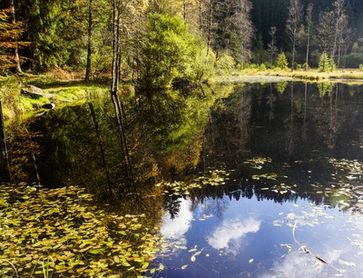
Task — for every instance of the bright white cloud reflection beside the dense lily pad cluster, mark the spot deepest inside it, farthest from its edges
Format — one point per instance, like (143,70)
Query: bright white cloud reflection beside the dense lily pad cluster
(176,228)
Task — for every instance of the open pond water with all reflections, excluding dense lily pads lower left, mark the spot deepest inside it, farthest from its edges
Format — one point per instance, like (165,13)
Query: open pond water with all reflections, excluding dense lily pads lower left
(261,180)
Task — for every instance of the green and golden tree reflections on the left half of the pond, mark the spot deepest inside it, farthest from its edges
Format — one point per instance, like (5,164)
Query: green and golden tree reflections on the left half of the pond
(80,144)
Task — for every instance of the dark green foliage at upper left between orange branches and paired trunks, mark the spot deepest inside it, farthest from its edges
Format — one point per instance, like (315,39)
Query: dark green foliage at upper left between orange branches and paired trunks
(57,31)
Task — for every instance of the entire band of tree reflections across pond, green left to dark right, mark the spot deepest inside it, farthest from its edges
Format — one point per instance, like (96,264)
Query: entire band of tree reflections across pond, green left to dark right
(169,142)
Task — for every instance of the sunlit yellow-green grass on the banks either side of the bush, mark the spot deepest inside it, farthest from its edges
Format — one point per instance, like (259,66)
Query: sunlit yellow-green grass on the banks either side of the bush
(67,88)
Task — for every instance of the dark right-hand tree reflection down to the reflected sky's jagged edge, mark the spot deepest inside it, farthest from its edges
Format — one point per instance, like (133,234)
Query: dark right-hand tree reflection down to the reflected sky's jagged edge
(304,128)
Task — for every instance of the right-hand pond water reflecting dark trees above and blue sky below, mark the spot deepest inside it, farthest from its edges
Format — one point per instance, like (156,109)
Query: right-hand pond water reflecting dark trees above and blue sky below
(291,205)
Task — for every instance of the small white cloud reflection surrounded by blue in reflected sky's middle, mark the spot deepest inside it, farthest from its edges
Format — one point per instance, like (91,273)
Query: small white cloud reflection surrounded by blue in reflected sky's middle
(230,234)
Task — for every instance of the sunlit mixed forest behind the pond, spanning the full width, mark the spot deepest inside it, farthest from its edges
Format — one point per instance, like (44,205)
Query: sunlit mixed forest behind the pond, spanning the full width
(190,37)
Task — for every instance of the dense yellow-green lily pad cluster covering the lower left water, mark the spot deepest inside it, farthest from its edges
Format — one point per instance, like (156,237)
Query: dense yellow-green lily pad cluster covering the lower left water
(60,231)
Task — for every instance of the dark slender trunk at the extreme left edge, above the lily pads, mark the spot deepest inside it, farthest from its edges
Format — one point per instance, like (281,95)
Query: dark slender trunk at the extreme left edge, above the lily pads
(4,160)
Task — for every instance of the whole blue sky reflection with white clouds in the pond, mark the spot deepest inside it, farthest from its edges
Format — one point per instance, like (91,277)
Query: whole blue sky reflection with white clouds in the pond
(247,238)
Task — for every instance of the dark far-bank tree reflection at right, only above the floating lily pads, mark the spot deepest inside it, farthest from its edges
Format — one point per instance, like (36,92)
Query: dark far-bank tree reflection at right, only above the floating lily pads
(302,123)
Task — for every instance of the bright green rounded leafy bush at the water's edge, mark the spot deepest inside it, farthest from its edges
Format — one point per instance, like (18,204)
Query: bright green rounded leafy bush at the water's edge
(171,52)
